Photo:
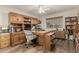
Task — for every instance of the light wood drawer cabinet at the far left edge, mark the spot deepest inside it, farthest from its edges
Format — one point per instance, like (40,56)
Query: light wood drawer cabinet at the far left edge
(4,40)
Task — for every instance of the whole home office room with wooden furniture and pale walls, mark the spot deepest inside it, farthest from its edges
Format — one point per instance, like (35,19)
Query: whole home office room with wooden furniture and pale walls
(39,29)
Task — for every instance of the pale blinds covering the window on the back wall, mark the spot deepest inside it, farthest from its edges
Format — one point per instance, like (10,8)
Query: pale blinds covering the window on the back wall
(55,22)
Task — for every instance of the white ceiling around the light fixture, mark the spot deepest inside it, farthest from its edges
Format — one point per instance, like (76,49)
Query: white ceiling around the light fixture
(33,9)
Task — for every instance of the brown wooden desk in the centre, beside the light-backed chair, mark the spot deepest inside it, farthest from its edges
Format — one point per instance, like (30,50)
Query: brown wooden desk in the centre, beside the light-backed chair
(44,38)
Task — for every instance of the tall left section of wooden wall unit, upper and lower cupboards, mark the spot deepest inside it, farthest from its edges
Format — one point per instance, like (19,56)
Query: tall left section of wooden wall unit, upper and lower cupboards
(17,26)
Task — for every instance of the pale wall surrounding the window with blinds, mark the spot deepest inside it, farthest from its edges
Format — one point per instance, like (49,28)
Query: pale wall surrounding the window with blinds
(67,13)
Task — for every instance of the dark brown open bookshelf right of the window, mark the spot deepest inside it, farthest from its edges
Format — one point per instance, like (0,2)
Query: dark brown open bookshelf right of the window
(71,24)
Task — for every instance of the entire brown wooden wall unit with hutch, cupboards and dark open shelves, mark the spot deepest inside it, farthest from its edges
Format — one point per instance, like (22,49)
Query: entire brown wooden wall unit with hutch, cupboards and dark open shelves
(18,24)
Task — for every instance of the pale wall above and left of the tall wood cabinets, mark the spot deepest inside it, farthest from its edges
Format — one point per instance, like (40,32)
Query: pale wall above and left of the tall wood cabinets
(4,10)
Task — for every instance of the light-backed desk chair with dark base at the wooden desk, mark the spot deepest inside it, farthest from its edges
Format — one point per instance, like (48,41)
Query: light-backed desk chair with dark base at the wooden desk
(31,39)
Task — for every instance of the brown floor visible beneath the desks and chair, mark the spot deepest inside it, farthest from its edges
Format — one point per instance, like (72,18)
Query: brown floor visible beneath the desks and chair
(61,47)
